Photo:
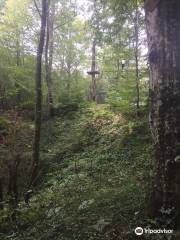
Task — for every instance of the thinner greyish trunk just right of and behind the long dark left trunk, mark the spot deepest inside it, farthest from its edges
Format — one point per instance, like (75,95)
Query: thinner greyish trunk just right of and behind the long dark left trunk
(49,54)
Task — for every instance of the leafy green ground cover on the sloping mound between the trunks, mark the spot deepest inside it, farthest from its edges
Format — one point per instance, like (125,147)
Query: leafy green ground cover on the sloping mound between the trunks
(96,166)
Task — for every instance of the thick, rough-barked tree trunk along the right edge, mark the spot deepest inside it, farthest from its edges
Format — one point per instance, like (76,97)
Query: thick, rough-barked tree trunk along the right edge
(163,28)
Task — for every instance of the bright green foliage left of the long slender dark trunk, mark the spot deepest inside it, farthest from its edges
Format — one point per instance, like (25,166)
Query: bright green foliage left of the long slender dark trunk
(16,49)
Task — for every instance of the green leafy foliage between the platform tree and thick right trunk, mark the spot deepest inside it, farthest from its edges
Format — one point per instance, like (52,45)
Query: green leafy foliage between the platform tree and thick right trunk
(120,26)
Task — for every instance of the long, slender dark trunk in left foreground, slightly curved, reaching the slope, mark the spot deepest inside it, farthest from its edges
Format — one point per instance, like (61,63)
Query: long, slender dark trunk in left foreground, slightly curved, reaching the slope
(38,107)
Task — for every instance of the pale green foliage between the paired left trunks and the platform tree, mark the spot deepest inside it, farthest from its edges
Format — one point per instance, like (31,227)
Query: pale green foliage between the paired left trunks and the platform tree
(70,40)
